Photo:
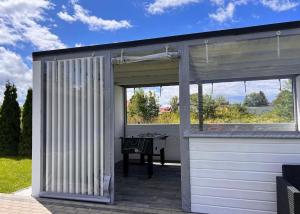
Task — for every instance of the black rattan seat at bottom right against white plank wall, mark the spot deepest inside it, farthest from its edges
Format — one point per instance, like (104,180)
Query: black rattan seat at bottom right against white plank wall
(288,186)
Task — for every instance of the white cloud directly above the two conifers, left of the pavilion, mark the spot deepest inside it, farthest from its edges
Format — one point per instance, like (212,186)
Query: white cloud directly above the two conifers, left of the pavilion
(13,69)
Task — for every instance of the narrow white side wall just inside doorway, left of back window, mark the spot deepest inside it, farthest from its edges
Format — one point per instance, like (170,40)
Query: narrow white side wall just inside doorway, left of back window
(119,121)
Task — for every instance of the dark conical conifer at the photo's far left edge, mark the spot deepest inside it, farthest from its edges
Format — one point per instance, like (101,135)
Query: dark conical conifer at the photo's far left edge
(9,122)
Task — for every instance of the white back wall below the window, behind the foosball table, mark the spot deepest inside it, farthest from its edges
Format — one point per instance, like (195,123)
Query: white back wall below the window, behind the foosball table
(172,150)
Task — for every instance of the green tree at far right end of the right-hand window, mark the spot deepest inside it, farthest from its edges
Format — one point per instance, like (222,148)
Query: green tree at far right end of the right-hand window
(284,105)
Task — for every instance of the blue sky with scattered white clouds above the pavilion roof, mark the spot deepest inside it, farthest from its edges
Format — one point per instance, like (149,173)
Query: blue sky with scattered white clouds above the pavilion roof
(27,26)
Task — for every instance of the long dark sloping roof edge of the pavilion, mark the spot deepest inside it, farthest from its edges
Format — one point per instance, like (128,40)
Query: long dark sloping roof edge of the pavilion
(169,39)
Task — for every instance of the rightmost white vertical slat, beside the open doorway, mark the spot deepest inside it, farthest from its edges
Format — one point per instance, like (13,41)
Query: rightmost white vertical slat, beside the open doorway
(101,127)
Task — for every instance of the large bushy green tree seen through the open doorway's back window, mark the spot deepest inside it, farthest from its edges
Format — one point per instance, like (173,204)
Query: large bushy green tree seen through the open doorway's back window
(143,106)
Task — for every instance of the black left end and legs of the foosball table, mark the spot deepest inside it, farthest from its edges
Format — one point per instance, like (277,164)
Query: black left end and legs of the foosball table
(142,146)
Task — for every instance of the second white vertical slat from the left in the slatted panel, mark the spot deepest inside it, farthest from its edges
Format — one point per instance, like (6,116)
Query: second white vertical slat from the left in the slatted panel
(54,127)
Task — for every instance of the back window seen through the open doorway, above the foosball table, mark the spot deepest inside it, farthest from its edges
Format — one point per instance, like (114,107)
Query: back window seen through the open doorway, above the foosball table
(153,105)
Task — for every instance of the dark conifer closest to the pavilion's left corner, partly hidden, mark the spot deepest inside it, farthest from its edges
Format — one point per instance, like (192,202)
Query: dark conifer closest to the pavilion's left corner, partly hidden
(26,121)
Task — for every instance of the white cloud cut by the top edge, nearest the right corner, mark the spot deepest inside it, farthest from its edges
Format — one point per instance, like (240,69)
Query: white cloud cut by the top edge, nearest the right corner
(280,5)
